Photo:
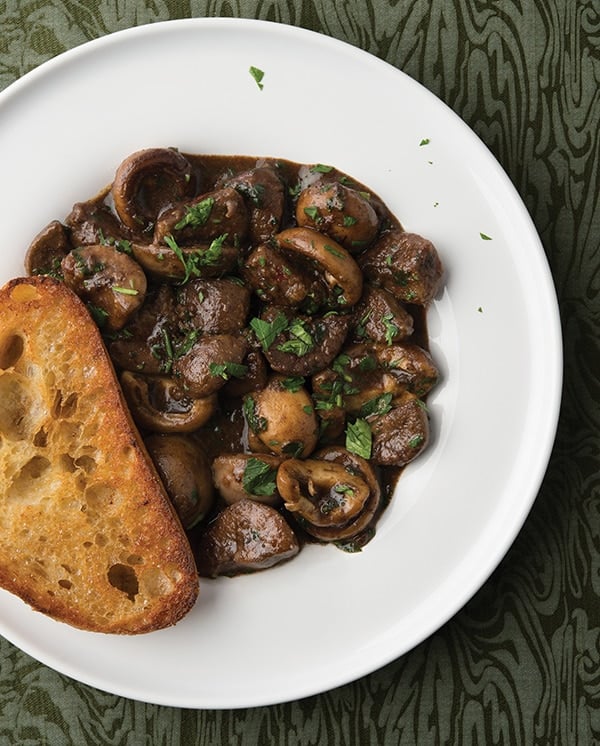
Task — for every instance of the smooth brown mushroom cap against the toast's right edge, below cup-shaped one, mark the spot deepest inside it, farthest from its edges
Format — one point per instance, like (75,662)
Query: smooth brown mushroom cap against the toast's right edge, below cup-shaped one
(185,472)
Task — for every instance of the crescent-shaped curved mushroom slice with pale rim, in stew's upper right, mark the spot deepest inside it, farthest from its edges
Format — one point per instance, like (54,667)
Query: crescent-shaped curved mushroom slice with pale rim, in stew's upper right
(332,262)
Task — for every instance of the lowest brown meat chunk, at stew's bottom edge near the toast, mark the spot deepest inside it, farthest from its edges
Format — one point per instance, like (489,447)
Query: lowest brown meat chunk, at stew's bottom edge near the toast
(245,537)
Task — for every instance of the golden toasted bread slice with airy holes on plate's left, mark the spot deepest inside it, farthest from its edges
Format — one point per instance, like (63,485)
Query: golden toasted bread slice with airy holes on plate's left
(87,532)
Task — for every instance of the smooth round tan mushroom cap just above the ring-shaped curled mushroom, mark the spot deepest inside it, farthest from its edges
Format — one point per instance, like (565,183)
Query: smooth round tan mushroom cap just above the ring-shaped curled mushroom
(281,418)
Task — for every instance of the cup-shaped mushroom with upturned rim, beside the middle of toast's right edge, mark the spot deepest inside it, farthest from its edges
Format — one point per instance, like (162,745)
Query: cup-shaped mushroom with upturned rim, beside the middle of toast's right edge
(159,404)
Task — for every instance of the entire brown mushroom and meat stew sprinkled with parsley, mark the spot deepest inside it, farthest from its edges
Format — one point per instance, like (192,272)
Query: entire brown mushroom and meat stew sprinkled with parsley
(267,320)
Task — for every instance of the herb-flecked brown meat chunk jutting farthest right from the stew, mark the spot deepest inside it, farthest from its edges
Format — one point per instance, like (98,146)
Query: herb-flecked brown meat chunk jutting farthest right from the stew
(406,264)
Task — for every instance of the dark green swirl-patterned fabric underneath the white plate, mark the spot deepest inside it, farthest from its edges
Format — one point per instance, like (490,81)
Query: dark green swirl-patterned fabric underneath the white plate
(520,664)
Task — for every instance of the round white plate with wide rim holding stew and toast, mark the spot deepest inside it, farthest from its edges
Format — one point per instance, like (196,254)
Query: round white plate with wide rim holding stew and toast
(327,617)
